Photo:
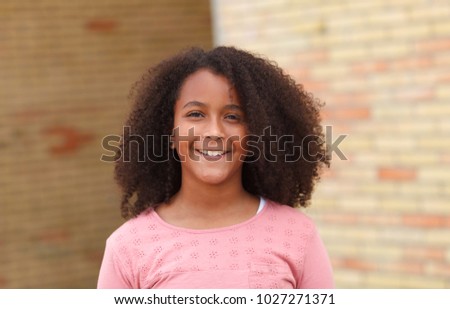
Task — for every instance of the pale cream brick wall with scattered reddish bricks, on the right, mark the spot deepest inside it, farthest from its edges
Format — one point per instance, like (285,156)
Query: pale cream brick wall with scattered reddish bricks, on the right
(382,67)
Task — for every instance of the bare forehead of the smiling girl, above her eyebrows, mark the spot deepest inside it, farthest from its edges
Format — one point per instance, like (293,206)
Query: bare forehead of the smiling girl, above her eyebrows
(207,87)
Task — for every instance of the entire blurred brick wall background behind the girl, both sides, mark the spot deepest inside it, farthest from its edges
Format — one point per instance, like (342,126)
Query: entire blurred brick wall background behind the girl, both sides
(382,68)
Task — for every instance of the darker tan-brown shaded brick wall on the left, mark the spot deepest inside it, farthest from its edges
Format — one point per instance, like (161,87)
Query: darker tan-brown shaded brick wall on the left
(66,70)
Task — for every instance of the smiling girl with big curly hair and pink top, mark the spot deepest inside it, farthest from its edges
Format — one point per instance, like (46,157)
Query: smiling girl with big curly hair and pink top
(221,146)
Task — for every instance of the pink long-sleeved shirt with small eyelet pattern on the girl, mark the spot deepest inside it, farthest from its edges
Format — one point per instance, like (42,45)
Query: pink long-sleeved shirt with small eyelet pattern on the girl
(277,248)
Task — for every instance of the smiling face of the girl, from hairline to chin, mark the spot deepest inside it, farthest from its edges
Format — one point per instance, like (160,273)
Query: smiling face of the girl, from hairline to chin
(209,126)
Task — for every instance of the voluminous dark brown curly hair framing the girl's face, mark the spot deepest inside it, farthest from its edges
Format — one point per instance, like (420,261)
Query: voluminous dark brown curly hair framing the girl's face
(270,99)
